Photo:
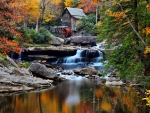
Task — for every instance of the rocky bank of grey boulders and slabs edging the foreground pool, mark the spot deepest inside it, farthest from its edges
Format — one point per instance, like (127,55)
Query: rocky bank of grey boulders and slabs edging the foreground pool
(15,79)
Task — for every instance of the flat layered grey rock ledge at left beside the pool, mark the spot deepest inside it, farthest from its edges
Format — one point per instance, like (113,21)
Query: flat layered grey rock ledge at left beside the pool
(20,79)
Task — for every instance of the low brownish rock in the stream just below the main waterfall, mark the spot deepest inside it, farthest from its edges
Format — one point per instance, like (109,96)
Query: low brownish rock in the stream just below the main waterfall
(87,71)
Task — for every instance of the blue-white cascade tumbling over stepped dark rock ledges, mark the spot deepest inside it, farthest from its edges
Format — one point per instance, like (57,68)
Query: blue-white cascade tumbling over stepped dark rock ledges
(82,58)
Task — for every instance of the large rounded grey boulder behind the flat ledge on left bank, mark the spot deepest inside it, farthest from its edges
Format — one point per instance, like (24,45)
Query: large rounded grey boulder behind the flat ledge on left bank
(42,71)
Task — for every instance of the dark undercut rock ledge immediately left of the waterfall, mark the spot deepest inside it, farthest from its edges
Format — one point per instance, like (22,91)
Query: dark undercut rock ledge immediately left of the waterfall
(45,53)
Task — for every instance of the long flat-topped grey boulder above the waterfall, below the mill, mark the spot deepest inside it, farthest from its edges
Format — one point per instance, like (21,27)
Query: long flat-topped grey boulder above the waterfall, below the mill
(82,40)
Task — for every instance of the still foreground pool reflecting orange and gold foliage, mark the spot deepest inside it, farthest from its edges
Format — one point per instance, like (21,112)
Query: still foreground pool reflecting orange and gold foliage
(75,96)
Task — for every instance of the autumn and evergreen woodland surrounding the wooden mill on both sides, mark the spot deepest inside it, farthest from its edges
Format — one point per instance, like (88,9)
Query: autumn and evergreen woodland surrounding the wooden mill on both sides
(124,24)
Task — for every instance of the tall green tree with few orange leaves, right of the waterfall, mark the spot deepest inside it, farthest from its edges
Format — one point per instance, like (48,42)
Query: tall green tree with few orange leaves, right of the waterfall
(122,26)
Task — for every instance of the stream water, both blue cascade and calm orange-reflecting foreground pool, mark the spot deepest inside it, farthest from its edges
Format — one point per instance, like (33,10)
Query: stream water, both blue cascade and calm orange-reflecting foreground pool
(77,95)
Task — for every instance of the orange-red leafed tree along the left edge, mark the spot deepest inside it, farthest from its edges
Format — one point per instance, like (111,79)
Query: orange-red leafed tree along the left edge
(9,17)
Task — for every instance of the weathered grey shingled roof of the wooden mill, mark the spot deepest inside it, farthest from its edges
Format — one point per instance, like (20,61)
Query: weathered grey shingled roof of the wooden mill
(75,12)
